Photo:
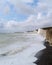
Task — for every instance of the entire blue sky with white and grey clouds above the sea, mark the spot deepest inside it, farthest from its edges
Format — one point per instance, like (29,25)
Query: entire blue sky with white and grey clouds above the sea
(23,15)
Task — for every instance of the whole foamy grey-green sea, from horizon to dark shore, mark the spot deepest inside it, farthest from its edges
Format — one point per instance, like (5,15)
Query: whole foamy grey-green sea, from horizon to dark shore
(19,48)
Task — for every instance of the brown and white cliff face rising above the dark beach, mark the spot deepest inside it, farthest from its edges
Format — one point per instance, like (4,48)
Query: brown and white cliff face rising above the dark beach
(47,34)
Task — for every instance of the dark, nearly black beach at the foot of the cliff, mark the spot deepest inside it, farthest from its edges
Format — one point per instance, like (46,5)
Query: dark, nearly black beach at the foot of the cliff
(44,57)
